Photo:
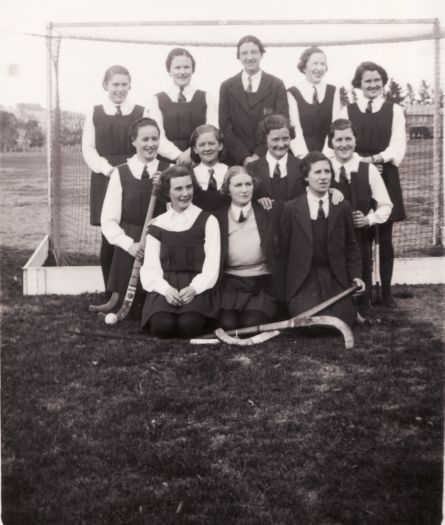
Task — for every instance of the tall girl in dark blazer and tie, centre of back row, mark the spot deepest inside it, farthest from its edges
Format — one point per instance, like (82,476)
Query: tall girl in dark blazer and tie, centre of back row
(244,101)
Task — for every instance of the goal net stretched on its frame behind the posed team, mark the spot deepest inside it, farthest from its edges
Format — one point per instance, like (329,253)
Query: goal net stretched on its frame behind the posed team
(78,55)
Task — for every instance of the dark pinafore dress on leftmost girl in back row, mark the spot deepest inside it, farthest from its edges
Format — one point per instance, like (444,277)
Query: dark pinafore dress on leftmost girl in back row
(113,143)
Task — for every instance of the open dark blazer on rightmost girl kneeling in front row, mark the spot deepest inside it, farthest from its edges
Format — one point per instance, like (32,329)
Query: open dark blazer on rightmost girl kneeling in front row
(296,244)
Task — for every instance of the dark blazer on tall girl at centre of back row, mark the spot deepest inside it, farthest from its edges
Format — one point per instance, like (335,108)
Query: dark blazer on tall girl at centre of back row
(238,120)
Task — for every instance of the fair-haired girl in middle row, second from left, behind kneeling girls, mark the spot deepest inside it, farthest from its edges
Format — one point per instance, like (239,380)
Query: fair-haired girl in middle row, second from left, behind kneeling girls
(206,145)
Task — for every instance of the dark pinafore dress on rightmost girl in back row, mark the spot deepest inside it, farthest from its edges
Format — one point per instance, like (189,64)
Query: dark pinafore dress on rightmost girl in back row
(373,136)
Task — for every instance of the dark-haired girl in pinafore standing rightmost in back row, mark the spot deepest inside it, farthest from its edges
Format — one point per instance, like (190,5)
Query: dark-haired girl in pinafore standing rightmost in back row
(381,139)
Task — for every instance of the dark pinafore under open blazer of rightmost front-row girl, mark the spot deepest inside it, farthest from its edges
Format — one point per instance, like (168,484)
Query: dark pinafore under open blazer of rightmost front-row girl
(321,284)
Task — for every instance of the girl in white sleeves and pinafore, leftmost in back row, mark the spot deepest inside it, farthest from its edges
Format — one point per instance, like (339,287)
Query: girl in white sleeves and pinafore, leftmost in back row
(105,145)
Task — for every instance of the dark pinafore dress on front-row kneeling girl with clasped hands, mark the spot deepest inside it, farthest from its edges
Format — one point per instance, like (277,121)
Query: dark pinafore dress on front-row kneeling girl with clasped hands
(182,257)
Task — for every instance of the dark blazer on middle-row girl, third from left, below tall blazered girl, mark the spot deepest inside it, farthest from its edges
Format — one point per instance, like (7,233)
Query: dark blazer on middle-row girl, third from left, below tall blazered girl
(260,170)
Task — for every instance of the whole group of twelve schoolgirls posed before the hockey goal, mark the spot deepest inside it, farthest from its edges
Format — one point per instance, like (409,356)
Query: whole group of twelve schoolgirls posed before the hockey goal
(231,244)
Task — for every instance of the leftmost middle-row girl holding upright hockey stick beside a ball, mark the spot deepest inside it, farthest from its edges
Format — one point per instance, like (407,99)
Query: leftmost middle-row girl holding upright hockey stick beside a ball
(126,203)
